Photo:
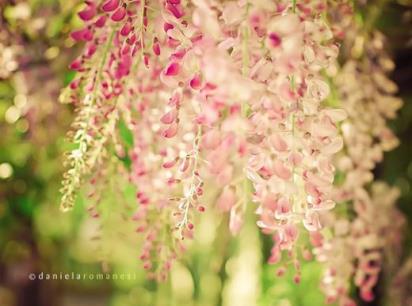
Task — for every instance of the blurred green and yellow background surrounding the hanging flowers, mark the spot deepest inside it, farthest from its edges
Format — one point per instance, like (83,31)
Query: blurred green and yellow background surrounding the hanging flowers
(35,236)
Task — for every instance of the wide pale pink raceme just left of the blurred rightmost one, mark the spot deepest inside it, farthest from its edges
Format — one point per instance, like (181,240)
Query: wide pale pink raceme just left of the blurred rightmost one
(294,136)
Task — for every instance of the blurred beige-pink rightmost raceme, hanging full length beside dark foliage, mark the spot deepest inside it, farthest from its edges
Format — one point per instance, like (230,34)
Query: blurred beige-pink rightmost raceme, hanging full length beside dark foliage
(367,96)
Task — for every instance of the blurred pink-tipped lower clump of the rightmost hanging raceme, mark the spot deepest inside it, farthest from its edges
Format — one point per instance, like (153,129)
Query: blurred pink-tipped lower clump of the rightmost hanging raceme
(359,247)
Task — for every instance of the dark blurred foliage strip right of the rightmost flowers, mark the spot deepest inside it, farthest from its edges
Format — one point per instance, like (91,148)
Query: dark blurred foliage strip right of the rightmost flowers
(396,23)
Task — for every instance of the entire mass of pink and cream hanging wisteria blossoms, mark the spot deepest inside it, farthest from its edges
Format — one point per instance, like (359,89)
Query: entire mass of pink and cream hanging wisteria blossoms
(230,96)
